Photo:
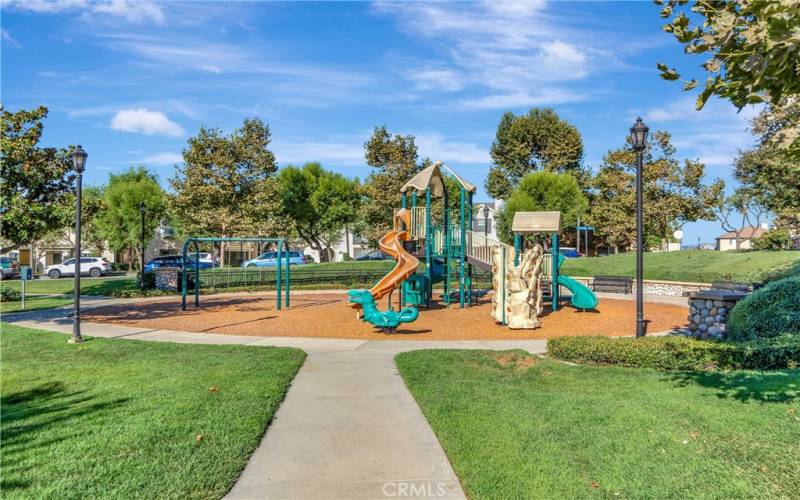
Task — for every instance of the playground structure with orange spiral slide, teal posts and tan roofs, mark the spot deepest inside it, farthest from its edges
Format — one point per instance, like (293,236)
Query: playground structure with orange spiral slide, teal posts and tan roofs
(450,249)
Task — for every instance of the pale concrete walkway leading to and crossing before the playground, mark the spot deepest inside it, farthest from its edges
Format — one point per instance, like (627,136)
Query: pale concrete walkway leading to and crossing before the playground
(348,427)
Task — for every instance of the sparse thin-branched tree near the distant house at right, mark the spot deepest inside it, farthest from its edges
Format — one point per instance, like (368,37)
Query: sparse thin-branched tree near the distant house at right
(742,204)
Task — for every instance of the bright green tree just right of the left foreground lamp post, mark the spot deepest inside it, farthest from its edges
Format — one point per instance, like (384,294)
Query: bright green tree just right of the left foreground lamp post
(121,221)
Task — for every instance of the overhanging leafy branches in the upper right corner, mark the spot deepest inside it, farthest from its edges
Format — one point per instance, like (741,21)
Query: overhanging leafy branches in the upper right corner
(751,49)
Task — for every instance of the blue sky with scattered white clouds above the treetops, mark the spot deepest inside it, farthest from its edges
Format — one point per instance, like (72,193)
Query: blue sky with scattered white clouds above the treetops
(132,80)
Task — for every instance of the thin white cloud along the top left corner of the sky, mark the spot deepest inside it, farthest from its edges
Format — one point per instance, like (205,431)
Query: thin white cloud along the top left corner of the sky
(134,11)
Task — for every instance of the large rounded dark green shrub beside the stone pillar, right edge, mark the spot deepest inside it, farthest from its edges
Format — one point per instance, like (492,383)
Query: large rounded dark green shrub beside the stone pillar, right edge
(768,312)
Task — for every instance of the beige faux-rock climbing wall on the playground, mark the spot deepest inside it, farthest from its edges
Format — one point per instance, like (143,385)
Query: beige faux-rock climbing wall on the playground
(517,290)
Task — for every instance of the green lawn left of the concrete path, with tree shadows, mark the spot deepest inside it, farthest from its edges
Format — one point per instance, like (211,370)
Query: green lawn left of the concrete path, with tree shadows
(125,419)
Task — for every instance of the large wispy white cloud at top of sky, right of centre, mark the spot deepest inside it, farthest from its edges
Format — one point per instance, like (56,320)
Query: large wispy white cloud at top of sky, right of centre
(497,51)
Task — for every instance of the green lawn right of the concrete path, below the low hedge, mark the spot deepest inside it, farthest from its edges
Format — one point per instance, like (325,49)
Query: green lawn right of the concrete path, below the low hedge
(551,430)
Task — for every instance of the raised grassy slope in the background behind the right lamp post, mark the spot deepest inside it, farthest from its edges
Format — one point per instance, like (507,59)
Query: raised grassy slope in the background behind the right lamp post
(703,266)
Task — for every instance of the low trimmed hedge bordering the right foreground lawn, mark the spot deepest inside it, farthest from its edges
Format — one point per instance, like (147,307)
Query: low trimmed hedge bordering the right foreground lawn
(679,353)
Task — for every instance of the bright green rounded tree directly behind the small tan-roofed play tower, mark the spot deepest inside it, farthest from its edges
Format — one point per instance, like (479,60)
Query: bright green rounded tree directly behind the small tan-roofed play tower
(544,191)
